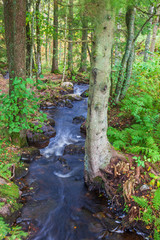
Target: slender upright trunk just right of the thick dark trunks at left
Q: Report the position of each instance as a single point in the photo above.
(38, 52)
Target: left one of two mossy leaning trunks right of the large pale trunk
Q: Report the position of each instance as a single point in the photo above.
(130, 18)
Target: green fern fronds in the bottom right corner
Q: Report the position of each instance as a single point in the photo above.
(150, 211)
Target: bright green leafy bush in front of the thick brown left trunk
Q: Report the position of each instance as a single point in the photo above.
(18, 109)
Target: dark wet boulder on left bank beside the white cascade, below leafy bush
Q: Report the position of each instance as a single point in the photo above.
(41, 140)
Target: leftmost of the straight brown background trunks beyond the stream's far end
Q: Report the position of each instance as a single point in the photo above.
(55, 39)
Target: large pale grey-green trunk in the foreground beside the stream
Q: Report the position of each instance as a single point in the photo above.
(97, 148)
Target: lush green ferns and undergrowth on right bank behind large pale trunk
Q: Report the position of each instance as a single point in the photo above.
(142, 103)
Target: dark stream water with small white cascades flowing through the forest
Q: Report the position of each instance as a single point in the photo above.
(60, 205)
